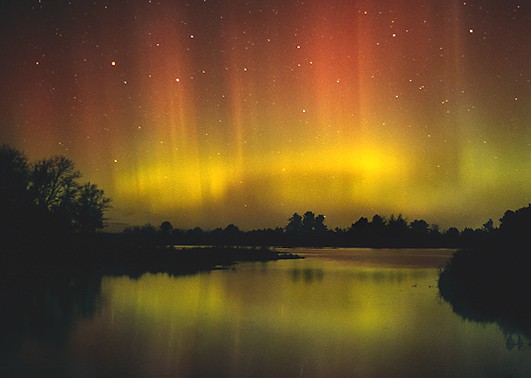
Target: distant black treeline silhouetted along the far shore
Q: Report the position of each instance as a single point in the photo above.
(310, 229)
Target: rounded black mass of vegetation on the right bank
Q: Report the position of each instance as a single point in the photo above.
(491, 282)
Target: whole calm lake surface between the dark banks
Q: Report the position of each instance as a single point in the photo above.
(337, 313)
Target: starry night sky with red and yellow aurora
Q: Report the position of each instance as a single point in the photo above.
(210, 112)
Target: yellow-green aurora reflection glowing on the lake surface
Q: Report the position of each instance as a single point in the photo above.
(295, 320)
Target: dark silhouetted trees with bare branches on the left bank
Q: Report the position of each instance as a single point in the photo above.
(46, 199)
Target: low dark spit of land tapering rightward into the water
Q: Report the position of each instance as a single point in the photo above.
(120, 256)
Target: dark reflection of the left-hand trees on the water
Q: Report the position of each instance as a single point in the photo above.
(39, 313)
